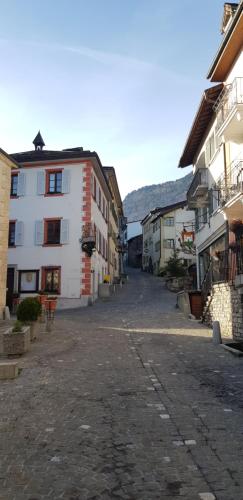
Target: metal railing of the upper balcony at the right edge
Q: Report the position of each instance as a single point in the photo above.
(230, 96)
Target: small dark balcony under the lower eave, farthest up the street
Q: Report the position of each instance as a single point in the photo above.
(197, 194)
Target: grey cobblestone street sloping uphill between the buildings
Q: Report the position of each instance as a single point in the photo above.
(124, 400)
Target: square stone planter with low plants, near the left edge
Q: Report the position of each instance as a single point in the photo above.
(16, 340)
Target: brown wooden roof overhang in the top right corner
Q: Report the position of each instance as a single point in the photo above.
(229, 48)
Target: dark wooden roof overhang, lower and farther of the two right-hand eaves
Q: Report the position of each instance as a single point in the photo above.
(200, 124)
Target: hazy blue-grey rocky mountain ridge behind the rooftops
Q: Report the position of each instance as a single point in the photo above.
(138, 203)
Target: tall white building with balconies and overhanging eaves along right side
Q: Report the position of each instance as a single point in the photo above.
(215, 149)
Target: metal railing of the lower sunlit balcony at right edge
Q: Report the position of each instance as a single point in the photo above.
(231, 184)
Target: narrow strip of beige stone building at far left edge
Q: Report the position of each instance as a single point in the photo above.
(5, 176)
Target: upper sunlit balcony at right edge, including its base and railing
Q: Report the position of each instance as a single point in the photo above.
(229, 110)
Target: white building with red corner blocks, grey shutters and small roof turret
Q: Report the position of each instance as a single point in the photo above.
(58, 224)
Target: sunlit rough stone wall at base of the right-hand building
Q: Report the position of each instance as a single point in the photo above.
(225, 305)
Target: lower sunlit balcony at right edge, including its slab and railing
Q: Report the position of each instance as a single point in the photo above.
(230, 188)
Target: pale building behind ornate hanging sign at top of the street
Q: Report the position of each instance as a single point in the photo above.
(165, 231)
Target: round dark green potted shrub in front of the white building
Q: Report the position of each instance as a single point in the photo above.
(28, 312)
